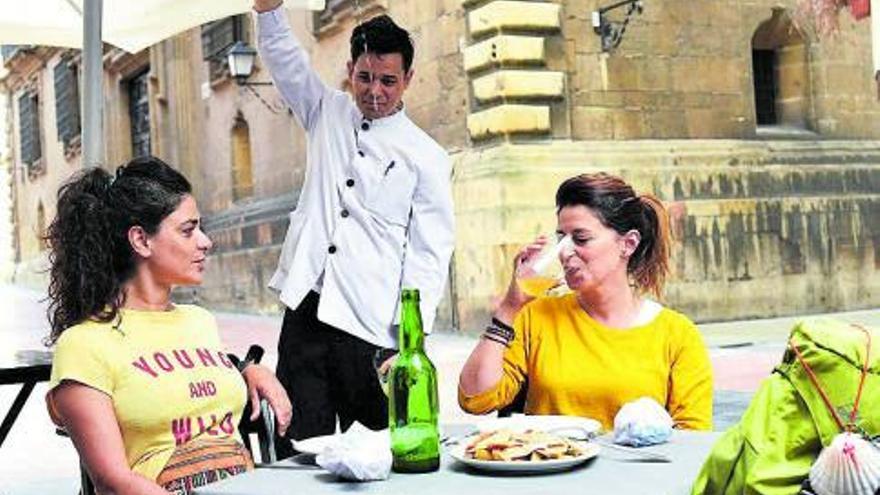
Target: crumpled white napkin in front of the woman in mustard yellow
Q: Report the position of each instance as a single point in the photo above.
(642, 422)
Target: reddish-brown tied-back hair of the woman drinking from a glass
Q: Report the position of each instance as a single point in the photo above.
(619, 207)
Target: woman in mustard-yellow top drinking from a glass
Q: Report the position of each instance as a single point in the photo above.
(603, 344)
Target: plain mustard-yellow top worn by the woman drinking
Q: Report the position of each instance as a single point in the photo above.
(577, 366)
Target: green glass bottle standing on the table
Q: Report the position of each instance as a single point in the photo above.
(413, 407)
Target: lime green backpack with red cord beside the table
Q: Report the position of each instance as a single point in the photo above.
(771, 449)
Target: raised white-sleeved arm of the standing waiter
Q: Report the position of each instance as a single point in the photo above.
(288, 62)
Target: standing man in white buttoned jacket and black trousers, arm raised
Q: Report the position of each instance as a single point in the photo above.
(374, 215)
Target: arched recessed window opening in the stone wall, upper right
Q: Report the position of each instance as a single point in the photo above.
(780, 73)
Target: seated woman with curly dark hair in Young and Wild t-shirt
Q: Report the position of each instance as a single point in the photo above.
(142, 385)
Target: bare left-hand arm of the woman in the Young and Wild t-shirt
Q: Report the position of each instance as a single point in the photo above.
(87, 415)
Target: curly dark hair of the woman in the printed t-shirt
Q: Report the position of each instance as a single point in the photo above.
(89, 252)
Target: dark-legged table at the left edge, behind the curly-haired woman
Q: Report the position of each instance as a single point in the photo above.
(27, 368)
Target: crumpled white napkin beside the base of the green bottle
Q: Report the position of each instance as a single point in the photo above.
(359, 454)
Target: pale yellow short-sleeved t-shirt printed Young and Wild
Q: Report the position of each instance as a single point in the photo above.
(166, 373)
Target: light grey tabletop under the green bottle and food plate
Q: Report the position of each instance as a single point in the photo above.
(609, 472)
